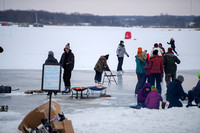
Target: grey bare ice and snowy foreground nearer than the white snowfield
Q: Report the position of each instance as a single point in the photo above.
(90, 114)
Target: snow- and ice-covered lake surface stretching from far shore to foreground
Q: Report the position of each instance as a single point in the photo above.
(26, 49)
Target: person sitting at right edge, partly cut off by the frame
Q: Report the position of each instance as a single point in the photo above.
(194, 94)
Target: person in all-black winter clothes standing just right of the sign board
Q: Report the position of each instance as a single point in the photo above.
(67, 63)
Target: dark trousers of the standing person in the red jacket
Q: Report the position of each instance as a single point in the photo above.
(158, 79)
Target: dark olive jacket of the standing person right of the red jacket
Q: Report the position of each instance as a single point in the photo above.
(169, 62)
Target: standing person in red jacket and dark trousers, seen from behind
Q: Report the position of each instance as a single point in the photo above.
(156, 70)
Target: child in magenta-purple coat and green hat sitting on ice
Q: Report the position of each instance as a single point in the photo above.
(153, 99)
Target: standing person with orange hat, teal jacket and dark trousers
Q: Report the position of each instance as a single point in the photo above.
(140, 60)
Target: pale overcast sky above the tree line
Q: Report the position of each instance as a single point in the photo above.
(108, 7)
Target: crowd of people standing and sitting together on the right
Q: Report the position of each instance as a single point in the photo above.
(150, 69)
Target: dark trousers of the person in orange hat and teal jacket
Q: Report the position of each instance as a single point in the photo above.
(140, 83)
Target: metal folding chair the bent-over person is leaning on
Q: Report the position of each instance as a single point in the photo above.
(110, 77)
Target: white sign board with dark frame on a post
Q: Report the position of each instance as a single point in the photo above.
(51, 77)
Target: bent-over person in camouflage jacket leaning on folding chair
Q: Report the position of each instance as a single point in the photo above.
(100, 66)
